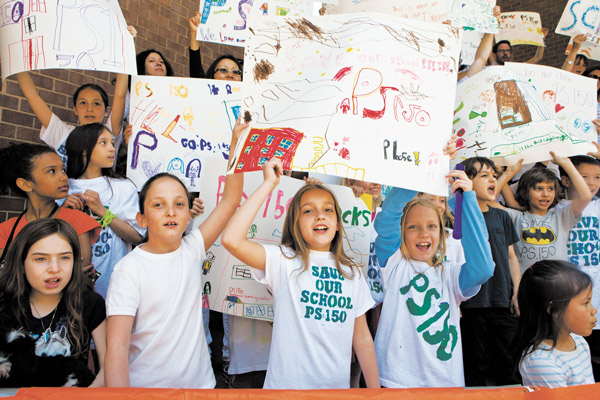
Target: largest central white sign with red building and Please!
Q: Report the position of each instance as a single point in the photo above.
(363, 96)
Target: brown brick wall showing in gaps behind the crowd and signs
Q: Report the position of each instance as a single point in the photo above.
(162, 25)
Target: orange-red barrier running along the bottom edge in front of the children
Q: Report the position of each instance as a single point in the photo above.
(585, 392)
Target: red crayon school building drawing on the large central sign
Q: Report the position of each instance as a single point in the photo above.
(263, 144)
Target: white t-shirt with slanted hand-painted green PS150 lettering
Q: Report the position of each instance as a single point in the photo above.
(418, 340)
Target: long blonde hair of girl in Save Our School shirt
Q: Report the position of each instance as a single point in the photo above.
(292, 237)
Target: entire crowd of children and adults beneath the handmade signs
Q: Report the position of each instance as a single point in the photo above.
(92, 267)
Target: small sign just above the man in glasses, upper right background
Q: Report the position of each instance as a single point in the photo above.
(521, 28)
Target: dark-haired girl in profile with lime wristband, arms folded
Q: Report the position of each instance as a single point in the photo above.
(114, 202)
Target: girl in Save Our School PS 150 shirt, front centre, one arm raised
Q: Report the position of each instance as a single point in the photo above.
(323, 324)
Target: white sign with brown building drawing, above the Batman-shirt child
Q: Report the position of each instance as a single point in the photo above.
(506, 116)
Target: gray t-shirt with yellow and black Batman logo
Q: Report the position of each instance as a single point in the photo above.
(542, 237)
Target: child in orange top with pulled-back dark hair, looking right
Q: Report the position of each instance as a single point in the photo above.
(36, 172)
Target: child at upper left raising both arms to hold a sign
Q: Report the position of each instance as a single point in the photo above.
(90, 104)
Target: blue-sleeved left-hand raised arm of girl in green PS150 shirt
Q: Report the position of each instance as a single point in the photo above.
(387, 223)
